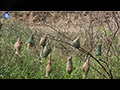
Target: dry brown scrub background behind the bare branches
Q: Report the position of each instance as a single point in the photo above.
(90, 26)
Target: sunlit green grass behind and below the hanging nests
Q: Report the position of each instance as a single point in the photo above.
(27, 65)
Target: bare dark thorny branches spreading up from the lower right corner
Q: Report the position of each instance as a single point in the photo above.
(87, 52)
